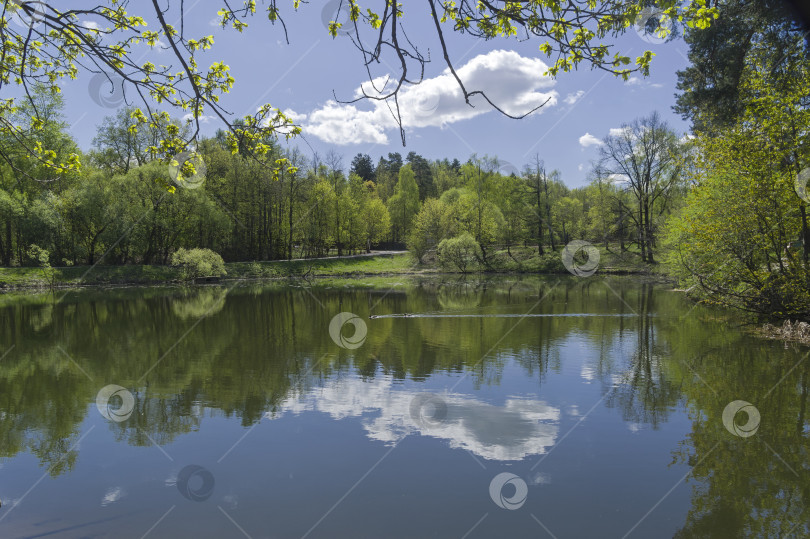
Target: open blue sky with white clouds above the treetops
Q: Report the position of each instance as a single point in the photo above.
(301, 77)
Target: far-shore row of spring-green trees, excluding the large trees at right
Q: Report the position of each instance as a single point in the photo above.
(117, 208)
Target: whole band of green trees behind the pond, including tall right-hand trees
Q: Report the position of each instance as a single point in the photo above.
(725, 207)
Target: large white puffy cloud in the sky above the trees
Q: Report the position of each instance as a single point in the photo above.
(512, 82)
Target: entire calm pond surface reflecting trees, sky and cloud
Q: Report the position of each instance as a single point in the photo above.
(512, 407)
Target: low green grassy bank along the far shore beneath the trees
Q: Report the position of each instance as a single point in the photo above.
(521, 260)
